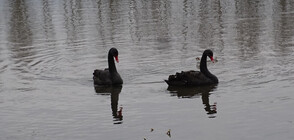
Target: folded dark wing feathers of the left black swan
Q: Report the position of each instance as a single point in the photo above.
(102, 77)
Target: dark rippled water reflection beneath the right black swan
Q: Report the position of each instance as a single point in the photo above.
(204, 92)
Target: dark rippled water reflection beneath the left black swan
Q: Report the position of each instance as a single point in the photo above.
(114, 92)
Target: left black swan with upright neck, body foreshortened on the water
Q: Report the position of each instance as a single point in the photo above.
(108, 76)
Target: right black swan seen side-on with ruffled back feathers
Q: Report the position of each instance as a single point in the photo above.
(195, 78)
